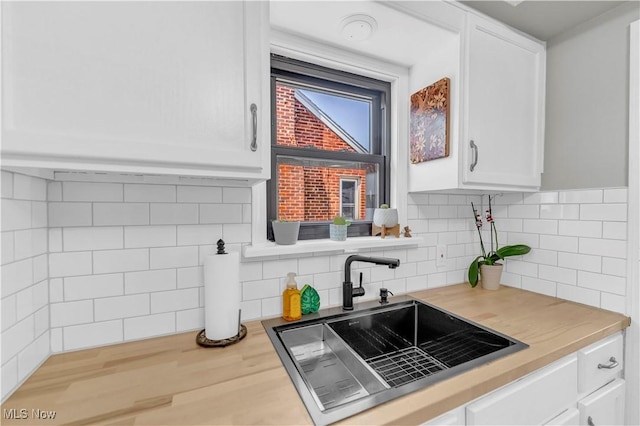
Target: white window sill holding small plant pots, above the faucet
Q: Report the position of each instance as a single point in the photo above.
(305, 247)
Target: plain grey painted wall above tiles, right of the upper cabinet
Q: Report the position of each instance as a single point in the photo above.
(586, 133)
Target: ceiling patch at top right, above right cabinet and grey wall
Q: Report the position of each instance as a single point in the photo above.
(543, 19)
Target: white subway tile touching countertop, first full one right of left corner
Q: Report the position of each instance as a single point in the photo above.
(94, 334)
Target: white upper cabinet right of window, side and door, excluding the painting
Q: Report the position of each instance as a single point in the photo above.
(496, 128)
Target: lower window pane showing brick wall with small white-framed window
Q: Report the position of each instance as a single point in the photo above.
(314, 190)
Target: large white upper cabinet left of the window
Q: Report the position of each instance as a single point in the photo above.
(137, 87)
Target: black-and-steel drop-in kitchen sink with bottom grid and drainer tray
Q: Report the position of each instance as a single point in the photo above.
(344, 363)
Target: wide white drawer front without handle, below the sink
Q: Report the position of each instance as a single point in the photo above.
(535, 399)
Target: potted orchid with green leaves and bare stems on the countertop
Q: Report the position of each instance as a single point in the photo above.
(481, 264)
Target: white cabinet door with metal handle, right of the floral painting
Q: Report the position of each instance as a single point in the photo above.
(504, 106)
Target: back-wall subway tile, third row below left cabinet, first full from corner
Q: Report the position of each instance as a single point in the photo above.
(92, 238)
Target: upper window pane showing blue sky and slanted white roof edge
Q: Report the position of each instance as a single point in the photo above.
(310, 118)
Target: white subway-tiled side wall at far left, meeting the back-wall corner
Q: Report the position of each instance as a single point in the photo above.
(24, 286)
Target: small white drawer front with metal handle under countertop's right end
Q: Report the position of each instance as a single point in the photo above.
(590, 377)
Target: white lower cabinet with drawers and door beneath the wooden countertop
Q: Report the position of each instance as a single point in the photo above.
(584, 388)
